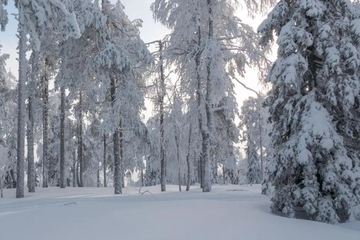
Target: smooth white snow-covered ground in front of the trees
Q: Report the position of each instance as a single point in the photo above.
(228, 212)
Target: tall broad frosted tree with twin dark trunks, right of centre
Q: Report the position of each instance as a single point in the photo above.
(201, 45)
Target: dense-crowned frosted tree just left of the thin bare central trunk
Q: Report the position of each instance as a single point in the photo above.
(121, 62)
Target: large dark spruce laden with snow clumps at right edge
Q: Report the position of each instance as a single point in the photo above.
(314, 105)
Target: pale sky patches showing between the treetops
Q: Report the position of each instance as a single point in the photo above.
(151, 30)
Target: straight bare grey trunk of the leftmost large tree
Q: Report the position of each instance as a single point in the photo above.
(20, 161)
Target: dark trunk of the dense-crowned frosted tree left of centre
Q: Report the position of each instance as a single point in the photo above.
(116, 141)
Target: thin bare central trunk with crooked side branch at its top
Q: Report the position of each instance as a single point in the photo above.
(161, 109)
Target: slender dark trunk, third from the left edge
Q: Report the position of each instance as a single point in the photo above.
(46, 160)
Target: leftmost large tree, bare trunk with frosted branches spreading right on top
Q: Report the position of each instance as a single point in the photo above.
(35, 24)
